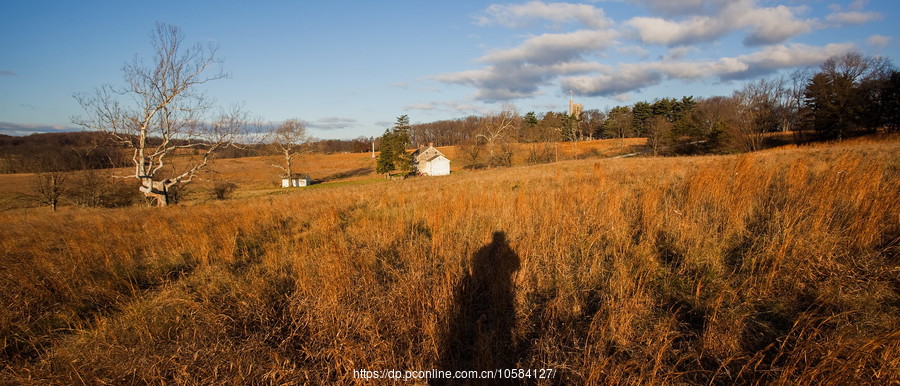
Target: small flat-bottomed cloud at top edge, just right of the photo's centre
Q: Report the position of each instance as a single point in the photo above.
(524, 15)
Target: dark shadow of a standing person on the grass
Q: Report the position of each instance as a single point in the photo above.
(480, 330)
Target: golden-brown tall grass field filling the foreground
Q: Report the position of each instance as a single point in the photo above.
(779, 266)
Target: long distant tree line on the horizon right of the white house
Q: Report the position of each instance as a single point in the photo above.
(847, 95)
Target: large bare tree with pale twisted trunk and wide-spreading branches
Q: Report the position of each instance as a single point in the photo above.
(159, 112)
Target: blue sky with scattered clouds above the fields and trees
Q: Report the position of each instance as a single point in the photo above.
(349, 68)
